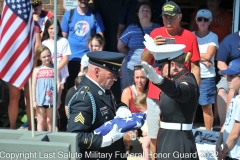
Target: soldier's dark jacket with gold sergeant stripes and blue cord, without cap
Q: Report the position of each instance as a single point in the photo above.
(81, 121)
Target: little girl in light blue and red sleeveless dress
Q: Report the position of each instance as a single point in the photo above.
(42, 87)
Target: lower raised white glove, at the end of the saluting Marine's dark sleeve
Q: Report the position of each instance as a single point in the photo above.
(151, 74)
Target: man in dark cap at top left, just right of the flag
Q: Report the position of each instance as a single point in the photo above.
(40, 15)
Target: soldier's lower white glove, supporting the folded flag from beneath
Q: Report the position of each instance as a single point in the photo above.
(112, 136)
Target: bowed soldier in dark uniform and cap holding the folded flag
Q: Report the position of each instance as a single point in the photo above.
(94, 104)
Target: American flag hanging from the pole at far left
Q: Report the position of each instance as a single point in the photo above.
(17, 40)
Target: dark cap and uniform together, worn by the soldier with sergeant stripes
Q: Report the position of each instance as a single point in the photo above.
(82, 120)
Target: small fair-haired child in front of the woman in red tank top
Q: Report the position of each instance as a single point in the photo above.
(141, 105)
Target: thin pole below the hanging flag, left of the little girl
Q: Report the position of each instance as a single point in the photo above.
(31, 107)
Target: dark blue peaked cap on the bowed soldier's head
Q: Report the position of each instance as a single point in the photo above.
(111, 61)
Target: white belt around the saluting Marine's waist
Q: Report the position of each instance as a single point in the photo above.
(175, 126)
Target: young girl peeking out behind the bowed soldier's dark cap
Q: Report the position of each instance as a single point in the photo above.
(95, 43)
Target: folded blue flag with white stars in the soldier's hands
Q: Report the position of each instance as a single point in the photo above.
(124, 125)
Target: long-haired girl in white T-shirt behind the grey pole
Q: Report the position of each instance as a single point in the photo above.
(63, 52)
